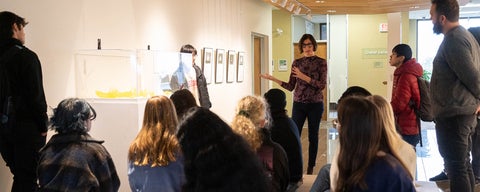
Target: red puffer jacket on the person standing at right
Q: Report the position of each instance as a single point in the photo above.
(405, 89)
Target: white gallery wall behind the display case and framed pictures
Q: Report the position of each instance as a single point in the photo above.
(57, 29)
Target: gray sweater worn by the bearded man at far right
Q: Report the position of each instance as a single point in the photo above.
(455, 83)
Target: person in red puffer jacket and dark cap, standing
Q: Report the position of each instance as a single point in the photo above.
(405, 90)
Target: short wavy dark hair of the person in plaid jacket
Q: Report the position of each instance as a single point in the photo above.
(71, 115)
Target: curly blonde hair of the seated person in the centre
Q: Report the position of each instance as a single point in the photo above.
(251, 115)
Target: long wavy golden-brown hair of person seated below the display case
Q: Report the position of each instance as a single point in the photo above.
(156, 144)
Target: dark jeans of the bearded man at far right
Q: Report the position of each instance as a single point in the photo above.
(454, 143)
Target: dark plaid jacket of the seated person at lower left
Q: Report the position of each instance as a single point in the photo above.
(76, 162)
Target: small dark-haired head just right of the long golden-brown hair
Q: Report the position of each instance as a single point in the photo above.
(183, 100)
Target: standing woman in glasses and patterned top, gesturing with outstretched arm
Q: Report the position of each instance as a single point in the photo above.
(308, 78)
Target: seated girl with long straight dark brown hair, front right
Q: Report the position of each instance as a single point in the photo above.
(367, 159)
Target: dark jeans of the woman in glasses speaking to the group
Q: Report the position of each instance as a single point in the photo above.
(312, 112)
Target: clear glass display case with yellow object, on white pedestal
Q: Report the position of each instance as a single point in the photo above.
(132, 73)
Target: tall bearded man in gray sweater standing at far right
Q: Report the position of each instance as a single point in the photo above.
(455, 93)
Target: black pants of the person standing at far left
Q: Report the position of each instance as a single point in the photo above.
(19, 148)
